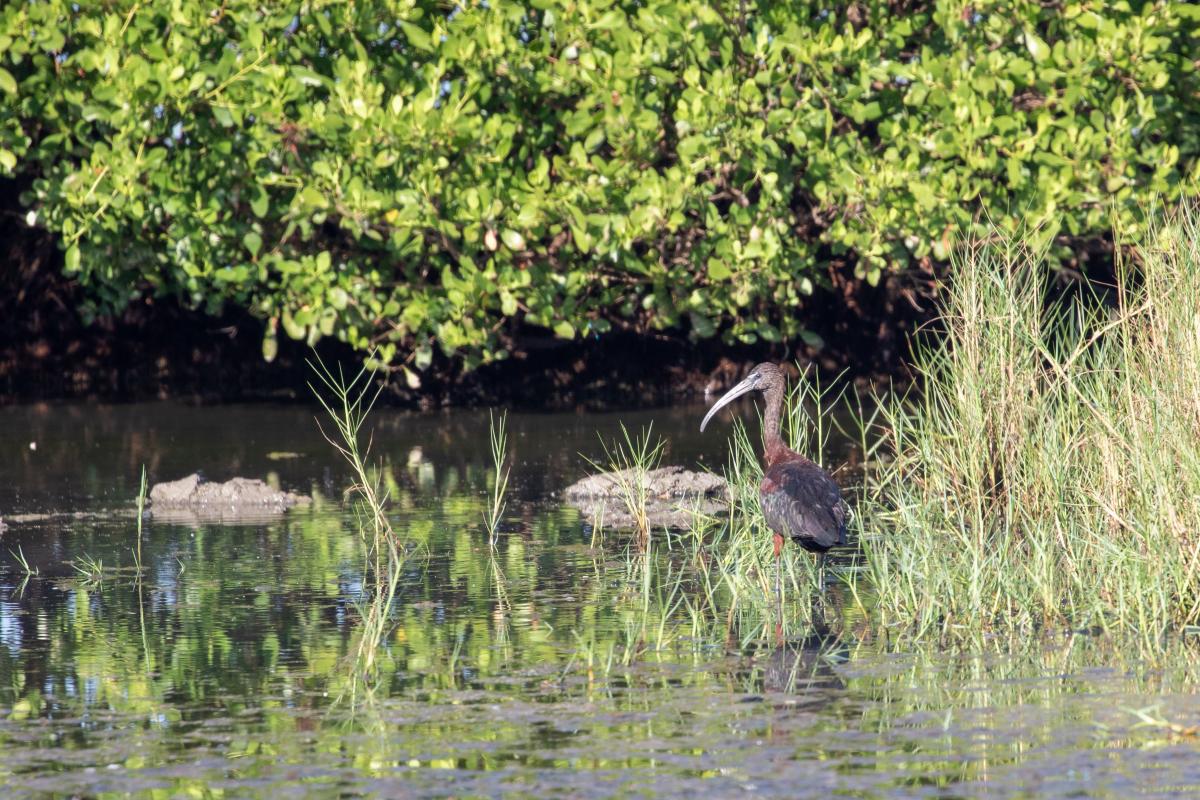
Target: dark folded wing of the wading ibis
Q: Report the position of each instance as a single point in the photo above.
(801, 502)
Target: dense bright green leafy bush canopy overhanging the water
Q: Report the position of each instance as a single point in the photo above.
(418, 176)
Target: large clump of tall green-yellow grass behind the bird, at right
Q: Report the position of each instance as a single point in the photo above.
(1047, 472)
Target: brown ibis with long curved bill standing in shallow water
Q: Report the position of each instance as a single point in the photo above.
(800, 500)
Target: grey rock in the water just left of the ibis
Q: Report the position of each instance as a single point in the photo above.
(674, 497)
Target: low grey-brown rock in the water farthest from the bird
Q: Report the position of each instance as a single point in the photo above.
(193, 497)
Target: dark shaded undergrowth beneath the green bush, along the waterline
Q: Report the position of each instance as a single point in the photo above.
(157, 348)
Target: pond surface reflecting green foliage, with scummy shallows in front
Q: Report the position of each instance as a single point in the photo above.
(231, 670)
